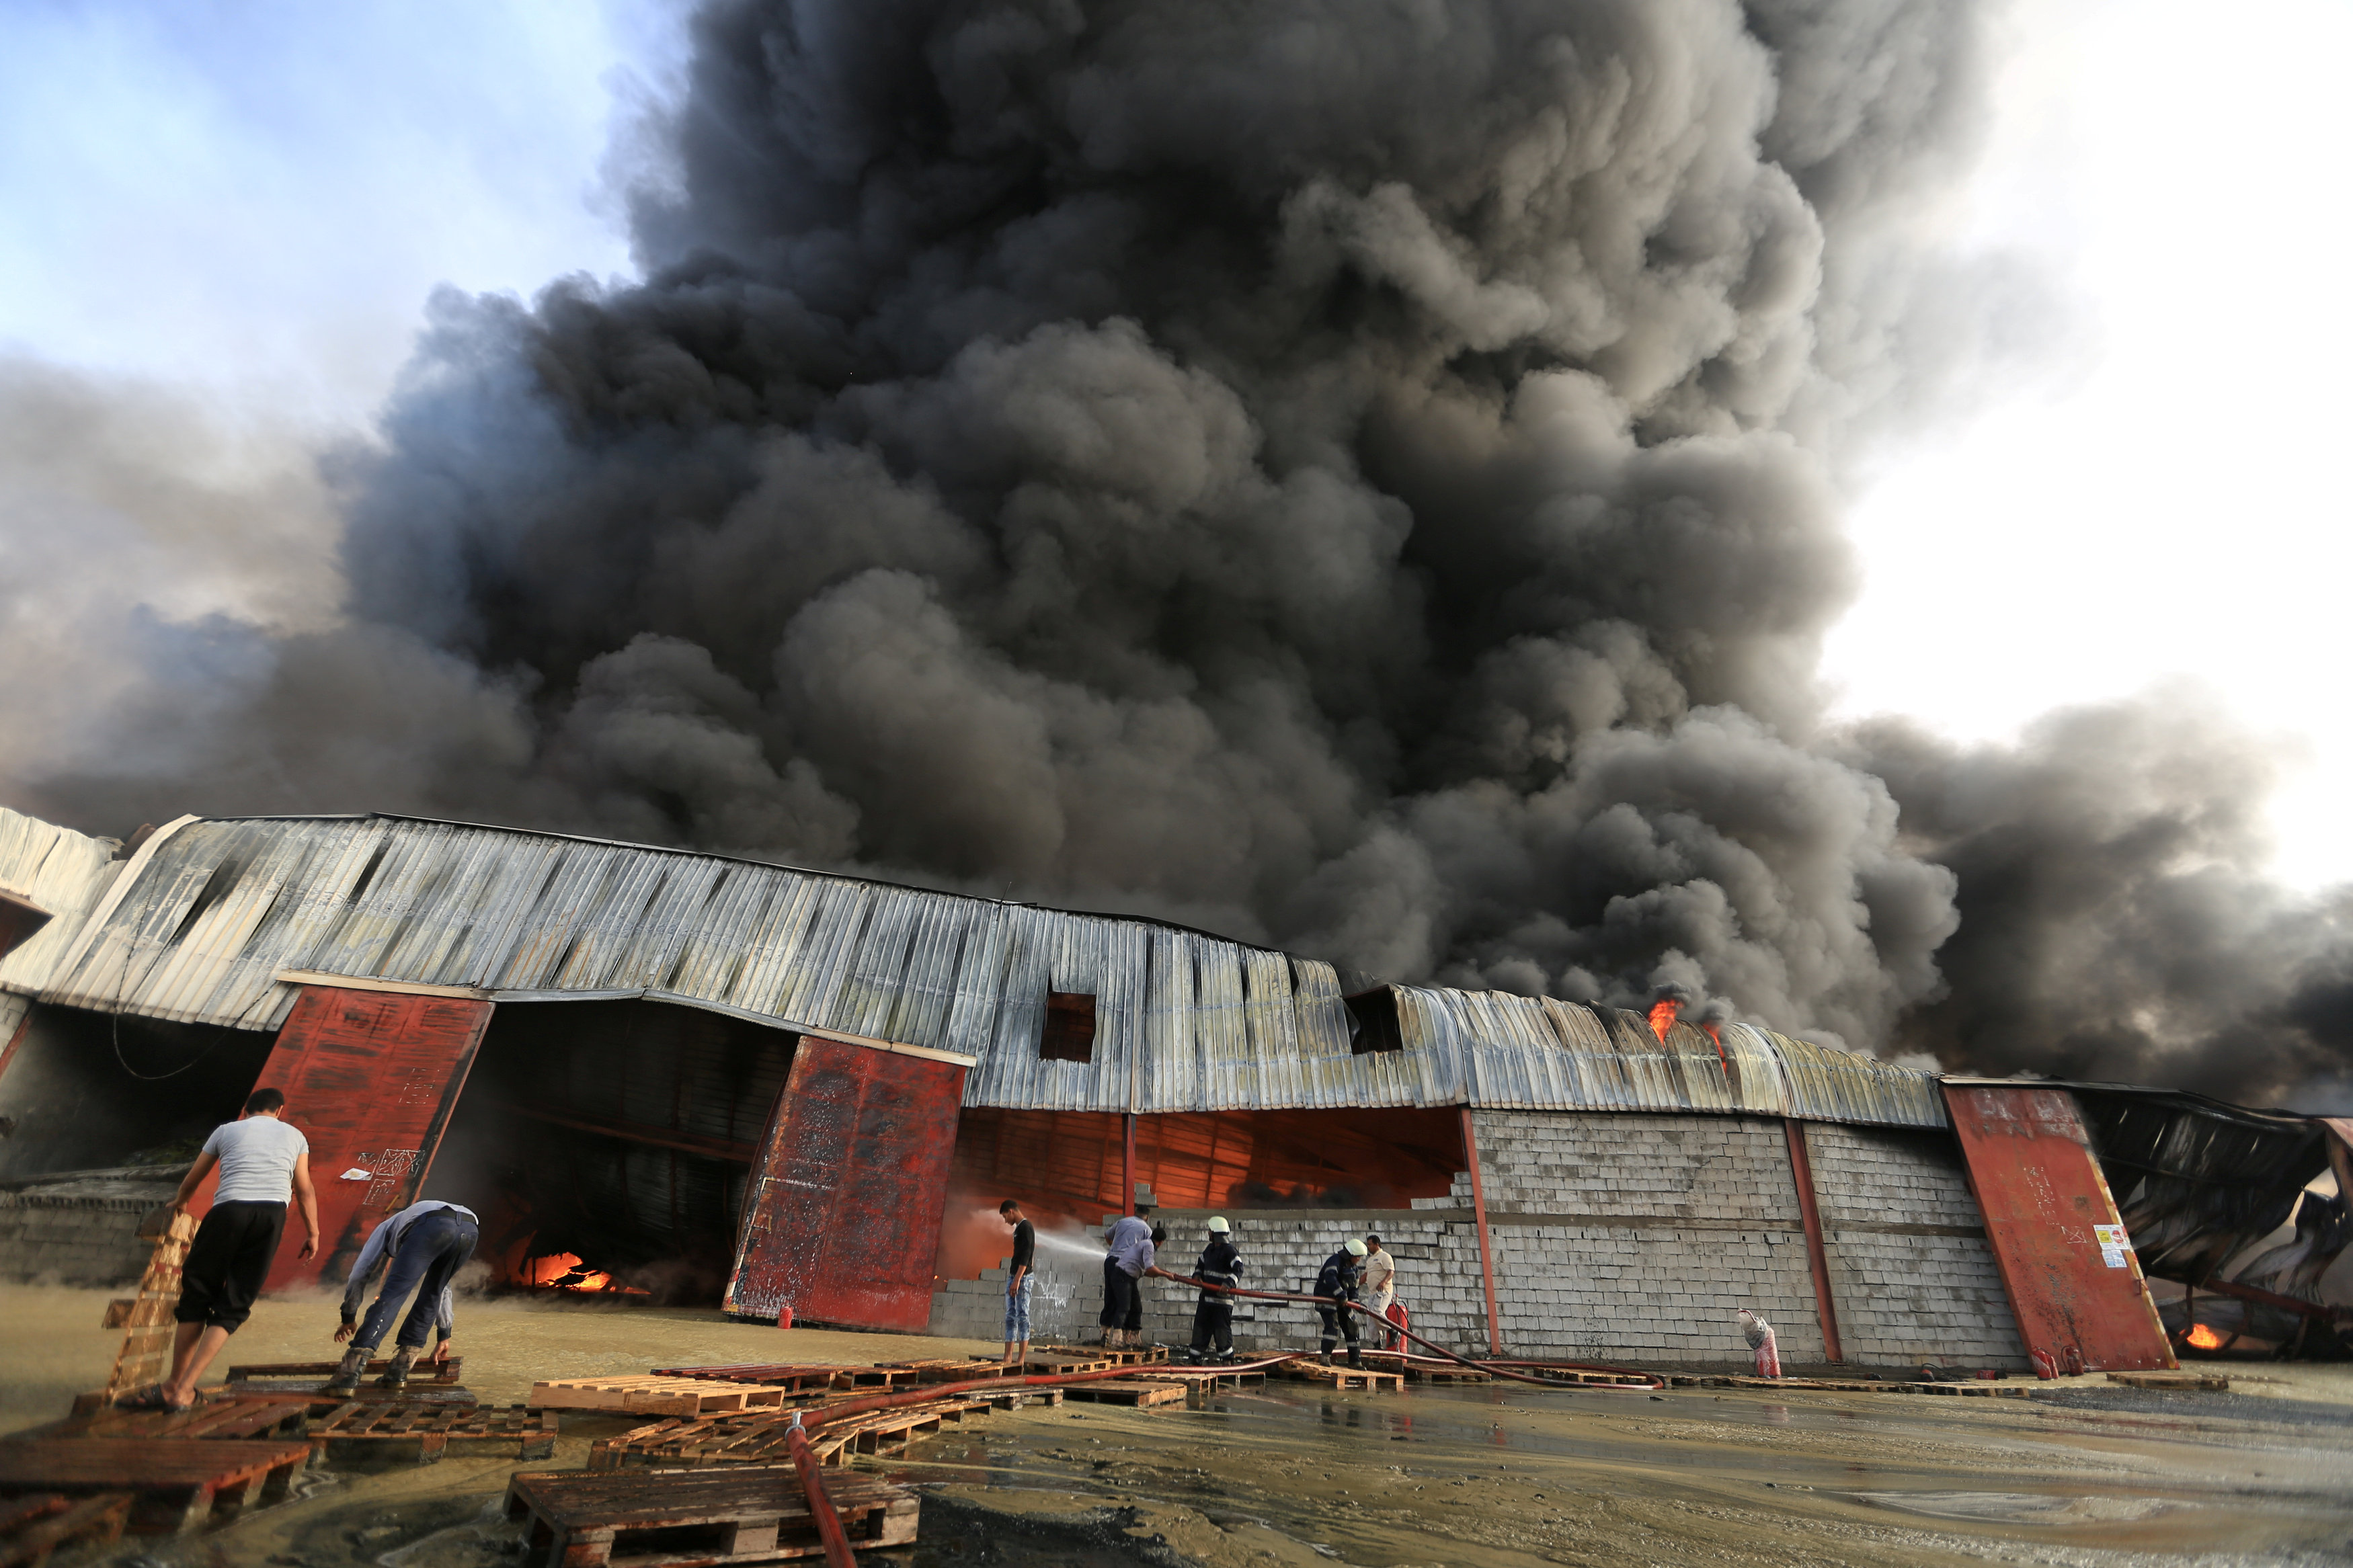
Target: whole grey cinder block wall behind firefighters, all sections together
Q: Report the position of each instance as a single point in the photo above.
(1618, 1238)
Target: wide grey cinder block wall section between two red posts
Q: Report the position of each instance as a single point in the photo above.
(1639, 1238)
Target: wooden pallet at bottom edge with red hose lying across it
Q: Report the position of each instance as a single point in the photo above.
(702, 1517)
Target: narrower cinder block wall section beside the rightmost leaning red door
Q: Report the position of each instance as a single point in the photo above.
(1912, 1271)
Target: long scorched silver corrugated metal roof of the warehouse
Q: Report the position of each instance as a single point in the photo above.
(213, 911)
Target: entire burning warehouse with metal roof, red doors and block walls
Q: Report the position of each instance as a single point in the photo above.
(775, 1090)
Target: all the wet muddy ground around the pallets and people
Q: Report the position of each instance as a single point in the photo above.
(1288, 1475)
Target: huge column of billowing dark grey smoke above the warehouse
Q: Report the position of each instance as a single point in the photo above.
(1347, 474)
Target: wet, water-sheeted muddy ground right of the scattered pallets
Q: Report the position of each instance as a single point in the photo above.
(1291, 1475)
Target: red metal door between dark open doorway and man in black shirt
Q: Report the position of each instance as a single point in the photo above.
(846, 1198)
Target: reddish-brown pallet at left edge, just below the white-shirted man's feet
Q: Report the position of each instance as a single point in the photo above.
(175, 1485)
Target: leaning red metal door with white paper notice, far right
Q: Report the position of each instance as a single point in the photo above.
(2069, 1268)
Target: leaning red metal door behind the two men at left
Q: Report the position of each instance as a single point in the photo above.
(371, 1080)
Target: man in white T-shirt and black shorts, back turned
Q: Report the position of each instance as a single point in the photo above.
(265, 1165)
